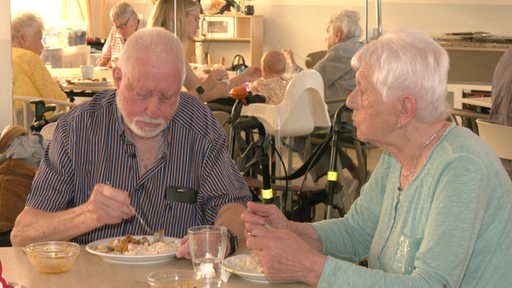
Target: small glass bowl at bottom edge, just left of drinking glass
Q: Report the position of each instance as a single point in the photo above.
(174, 278)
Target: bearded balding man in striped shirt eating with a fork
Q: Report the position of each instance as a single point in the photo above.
(144, 147)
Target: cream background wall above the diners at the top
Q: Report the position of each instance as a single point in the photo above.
(300, 24)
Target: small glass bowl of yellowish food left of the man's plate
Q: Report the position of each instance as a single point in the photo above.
(52, 256)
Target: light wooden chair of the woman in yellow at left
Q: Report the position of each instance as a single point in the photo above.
(25, 116)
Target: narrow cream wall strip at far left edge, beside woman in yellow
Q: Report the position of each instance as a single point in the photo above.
(5, 65)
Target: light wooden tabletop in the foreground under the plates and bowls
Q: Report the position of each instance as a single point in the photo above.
(92, 271)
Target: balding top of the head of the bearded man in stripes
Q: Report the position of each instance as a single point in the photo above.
(149, 44)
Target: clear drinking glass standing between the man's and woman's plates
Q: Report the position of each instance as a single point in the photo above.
(207, 246)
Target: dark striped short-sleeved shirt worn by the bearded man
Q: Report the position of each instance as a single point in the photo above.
(90, 147)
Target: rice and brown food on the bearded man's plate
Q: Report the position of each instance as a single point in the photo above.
(130, 245)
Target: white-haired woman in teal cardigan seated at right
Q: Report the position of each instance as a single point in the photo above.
(436, 211)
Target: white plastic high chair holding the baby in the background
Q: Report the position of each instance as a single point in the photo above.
(303, 108)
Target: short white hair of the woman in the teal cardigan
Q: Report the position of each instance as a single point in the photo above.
(407, 61)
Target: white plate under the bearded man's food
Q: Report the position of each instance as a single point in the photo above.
(131, 259)
